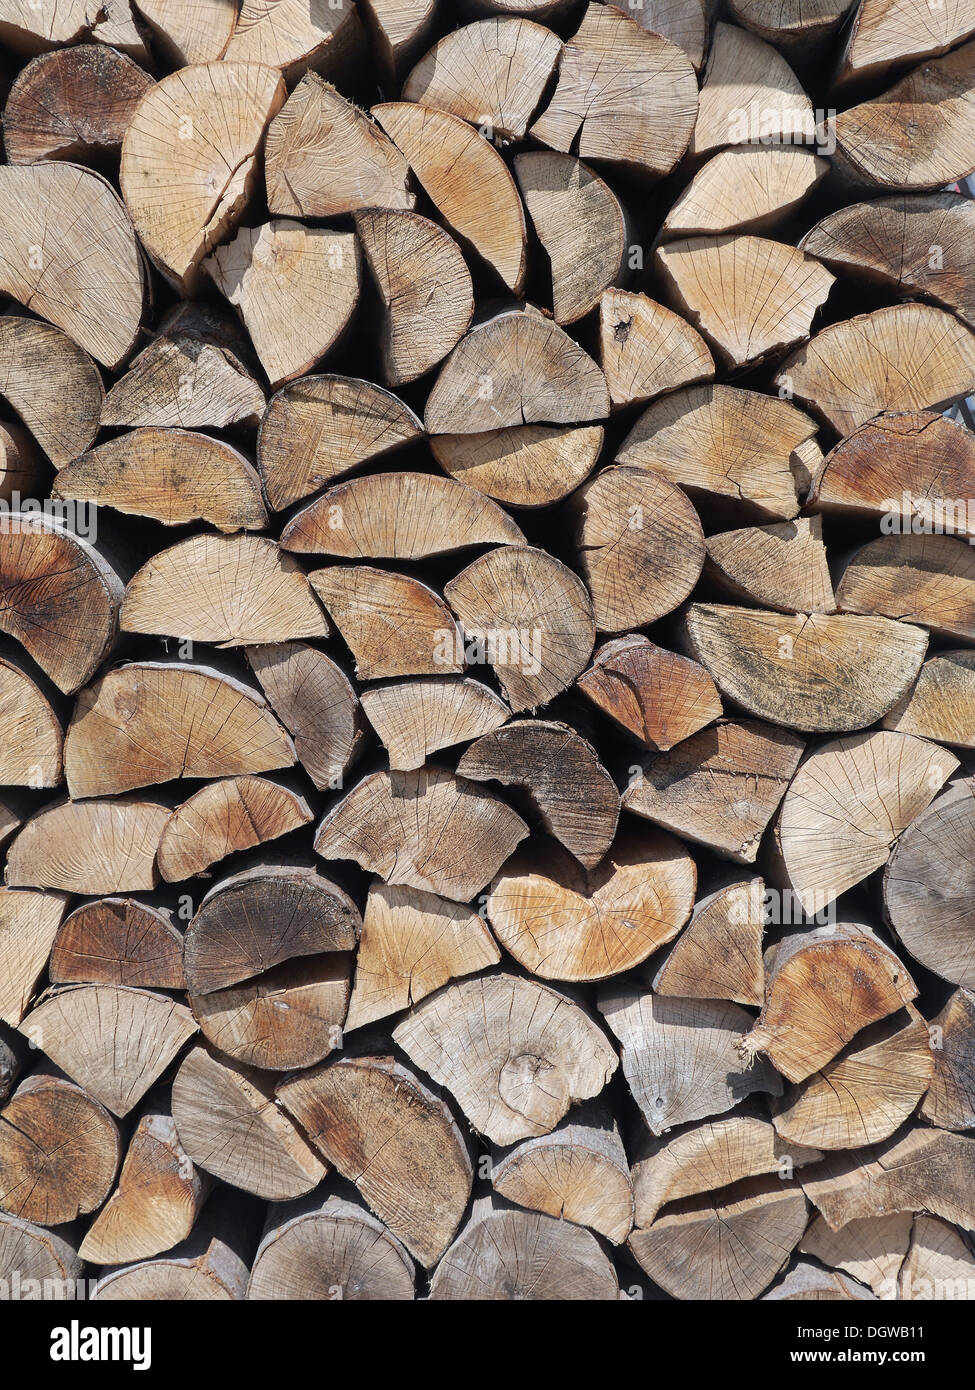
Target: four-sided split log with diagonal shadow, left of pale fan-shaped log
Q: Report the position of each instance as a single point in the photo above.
(718, 789)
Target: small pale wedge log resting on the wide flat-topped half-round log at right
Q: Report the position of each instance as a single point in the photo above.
(781, 566)
